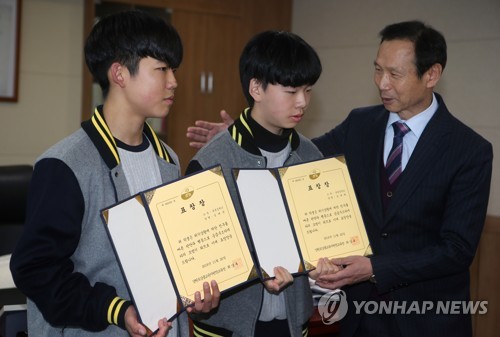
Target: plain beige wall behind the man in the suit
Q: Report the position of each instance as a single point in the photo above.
(345, 34)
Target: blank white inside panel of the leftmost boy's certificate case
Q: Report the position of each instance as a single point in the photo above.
(142, 264)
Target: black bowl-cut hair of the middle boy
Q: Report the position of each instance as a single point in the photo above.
(278, 57)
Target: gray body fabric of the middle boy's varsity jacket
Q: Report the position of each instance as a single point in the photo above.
(239, 311)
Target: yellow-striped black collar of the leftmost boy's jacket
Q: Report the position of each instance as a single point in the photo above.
(98, 131)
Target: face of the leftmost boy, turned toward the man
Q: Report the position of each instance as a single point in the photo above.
(150, 91)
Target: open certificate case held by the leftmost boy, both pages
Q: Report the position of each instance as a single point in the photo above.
(171, 239)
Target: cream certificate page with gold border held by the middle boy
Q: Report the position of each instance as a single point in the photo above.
(324, 209)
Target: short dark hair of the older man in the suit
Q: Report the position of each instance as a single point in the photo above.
(429, 44)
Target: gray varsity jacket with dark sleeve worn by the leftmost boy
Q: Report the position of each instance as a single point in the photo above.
(92, 171)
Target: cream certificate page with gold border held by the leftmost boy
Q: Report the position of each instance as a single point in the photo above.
(200, 234)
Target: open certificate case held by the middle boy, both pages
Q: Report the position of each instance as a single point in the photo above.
(301, 213)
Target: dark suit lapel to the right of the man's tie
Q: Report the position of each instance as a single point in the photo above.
(429, 147)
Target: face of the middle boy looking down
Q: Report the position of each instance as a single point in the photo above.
(279, 107)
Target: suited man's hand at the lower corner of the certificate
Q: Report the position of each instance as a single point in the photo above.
(355, 269)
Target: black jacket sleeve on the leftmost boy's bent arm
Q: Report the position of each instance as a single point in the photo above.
(41, 264)
